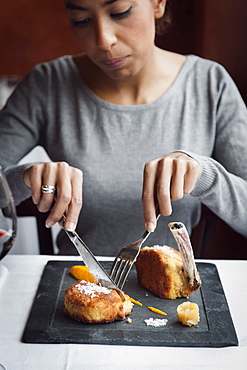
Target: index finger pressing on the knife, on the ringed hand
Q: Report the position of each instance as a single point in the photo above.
(75, 205)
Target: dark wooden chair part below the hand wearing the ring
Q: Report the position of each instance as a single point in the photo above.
(26, 209)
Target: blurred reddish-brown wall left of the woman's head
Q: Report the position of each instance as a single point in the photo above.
(32, 31)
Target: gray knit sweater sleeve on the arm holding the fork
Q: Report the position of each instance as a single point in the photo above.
(222, 185)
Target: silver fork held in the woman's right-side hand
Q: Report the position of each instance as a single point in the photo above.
(125, 259)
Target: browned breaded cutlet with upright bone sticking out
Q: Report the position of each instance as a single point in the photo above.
(166, 272)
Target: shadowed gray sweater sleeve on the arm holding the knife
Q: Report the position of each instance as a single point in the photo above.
(21, 123)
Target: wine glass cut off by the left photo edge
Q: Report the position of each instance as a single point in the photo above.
(8, 218)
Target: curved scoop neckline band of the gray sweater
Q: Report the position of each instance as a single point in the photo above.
(90, 93)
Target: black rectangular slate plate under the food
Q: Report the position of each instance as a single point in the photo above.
(49, 324)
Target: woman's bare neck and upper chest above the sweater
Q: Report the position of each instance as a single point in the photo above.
(148, 85)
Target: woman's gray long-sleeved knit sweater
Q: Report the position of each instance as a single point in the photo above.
(201, 114)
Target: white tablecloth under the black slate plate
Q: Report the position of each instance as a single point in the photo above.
(16, 297)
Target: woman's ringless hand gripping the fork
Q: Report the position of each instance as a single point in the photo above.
(167, 178)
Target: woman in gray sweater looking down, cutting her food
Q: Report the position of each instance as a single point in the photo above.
(121, 104)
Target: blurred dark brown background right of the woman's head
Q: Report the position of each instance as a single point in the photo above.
(213, 29)
